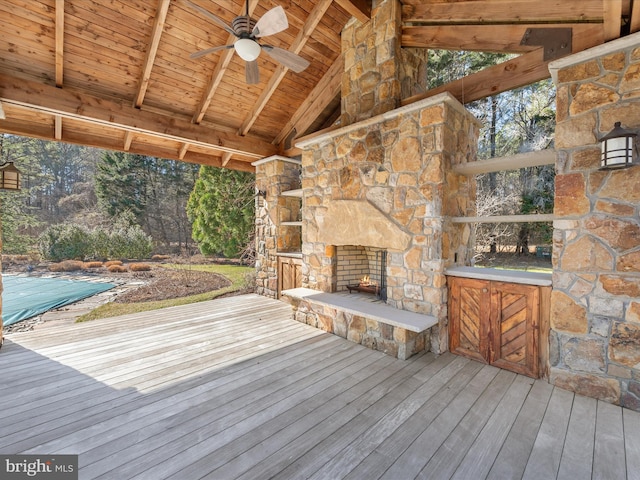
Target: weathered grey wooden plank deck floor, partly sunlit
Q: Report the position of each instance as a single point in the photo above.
(236, 389)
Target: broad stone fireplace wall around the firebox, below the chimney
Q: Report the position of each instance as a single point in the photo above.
(387, 183)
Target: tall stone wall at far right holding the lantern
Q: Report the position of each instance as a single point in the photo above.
(595, 304)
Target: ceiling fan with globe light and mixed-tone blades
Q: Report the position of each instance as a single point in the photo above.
(248, 31)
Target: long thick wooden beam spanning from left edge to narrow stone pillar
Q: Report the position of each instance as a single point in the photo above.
(71, 103)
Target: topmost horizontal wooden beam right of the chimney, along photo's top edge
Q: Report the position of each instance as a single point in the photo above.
(512, 11)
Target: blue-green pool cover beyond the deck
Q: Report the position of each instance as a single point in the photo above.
(25, 297)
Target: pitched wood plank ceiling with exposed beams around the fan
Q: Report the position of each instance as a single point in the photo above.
(117, 74)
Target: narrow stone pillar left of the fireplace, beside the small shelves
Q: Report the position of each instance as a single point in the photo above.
(275, 175)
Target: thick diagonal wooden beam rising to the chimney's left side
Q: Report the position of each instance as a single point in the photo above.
(322, 94)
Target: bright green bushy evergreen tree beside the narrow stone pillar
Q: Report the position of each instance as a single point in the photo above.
(221, 208)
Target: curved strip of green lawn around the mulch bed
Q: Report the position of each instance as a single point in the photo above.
(236, 274)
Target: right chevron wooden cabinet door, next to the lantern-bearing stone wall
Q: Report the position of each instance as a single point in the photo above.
(514, 327)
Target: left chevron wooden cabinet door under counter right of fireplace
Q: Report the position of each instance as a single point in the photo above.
(469, 301)
